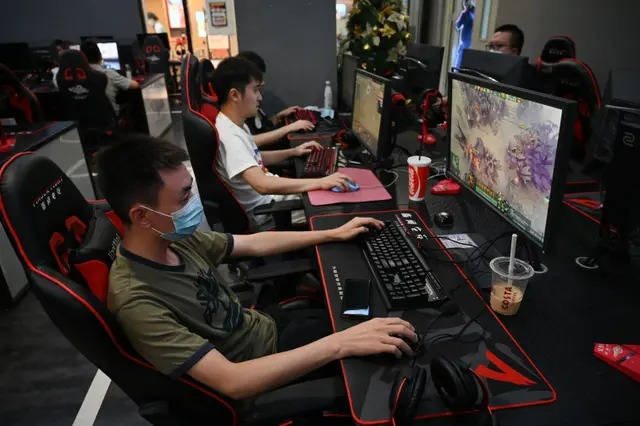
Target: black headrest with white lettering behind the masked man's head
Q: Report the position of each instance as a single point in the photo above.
(36, 201)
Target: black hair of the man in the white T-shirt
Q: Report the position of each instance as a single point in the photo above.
(234, 73)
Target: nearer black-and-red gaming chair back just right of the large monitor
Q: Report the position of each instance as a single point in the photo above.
(573, 79)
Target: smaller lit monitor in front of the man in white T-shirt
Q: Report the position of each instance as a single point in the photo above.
(372, 113)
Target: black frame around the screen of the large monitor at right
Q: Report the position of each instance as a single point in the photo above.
(561, 165)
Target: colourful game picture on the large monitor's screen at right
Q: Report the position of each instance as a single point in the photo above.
(504, 149)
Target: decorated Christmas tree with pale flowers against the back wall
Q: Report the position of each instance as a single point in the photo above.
(378, 33)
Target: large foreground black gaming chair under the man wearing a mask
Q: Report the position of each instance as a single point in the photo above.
(37, 201)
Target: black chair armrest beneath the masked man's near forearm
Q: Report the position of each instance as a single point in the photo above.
(298, 399)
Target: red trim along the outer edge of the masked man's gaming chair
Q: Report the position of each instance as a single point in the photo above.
(87, 305)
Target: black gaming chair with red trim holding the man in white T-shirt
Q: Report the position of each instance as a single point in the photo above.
(201, 137)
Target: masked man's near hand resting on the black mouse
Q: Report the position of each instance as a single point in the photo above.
(376, 336)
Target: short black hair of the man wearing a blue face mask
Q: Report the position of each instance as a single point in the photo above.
(128, 171)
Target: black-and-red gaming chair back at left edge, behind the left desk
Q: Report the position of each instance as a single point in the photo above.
(17, 99)
